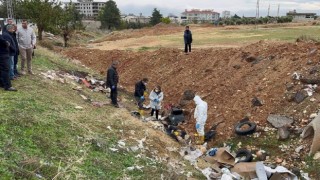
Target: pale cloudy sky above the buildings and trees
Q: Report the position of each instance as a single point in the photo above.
(239, 7)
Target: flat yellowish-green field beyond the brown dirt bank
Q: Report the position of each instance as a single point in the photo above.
(206, 37)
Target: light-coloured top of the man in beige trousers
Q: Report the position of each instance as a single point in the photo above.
(26, 38)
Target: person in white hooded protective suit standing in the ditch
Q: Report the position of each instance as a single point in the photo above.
(200, 114)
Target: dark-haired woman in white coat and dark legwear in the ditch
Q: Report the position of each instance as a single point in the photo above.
(156, 97)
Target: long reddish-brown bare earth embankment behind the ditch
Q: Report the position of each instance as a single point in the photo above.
(255, 81)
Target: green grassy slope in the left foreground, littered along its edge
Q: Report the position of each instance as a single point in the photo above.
(43, 135)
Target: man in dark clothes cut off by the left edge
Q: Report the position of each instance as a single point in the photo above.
(4, 65)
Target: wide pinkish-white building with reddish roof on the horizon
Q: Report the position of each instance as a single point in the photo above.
(199, 16)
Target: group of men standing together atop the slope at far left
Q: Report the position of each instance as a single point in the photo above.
(14, 42)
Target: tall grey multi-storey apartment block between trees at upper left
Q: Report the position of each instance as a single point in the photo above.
(89, 8)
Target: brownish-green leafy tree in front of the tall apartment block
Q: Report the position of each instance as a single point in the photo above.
(69, 21)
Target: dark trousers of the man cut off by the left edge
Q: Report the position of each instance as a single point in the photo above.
(4, 72)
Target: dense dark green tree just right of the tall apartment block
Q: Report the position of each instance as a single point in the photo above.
(110, 16)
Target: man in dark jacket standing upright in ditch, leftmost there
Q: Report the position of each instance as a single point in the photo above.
(112, 82)
